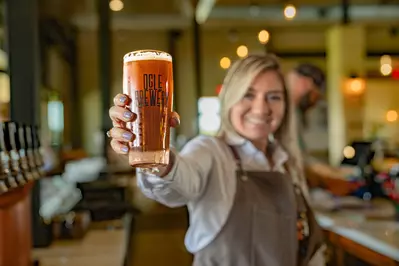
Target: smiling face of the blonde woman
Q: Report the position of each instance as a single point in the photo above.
(262, 109)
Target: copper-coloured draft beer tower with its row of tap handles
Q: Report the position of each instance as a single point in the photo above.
(21, 164)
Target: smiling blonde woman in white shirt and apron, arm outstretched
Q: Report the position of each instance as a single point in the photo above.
(242, 188)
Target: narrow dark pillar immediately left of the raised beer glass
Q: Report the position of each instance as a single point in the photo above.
(104, 55)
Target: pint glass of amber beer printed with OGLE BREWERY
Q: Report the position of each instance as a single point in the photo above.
(148, 80)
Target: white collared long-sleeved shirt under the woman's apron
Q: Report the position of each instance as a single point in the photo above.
(204, 178)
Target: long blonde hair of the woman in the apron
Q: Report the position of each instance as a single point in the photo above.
(236, 83)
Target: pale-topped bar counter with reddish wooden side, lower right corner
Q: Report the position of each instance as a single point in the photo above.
(373, 241)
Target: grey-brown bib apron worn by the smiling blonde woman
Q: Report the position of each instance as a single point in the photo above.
(261, 229)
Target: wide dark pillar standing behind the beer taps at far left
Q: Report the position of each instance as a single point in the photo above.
(22, 45)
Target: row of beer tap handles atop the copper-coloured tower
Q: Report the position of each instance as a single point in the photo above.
(20, 157)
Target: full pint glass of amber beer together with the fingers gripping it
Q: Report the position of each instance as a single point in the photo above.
(142, 115)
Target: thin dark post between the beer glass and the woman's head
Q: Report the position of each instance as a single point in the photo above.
(197, 66)
